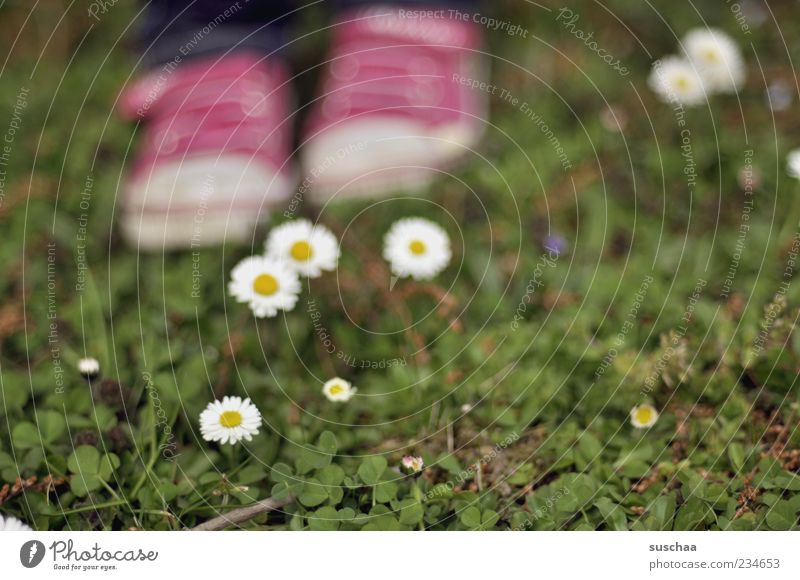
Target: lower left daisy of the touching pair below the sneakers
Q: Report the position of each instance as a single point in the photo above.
(267, 285)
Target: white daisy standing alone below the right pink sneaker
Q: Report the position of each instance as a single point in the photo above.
(416, 247)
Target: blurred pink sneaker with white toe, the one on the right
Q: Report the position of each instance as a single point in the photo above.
(394, 107)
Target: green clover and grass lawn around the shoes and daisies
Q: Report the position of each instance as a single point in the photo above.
(512, 374)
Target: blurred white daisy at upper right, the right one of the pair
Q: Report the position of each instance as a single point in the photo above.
(716, 57)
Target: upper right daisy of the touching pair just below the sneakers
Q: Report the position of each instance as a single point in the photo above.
(307, 248)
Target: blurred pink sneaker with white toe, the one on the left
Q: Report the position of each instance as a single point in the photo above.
(214, 153)
